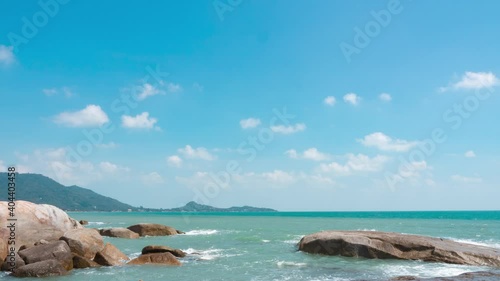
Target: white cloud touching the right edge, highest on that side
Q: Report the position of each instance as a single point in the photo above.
(473, 81)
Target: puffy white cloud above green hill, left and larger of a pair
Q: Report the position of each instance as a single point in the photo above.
(90, 116)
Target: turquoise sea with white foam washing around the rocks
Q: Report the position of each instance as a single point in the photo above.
(263, 246)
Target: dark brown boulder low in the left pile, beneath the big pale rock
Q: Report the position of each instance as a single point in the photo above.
(58, 250)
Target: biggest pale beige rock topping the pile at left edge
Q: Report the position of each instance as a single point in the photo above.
(36, 222)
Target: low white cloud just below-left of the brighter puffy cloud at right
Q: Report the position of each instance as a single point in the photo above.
(360, 162)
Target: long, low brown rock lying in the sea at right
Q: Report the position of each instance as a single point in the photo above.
(384, 245)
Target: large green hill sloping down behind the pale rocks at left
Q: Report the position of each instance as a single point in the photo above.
(43, 190)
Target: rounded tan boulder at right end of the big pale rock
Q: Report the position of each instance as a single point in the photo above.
(85, 242)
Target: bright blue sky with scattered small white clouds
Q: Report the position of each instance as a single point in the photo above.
(331, 105)
